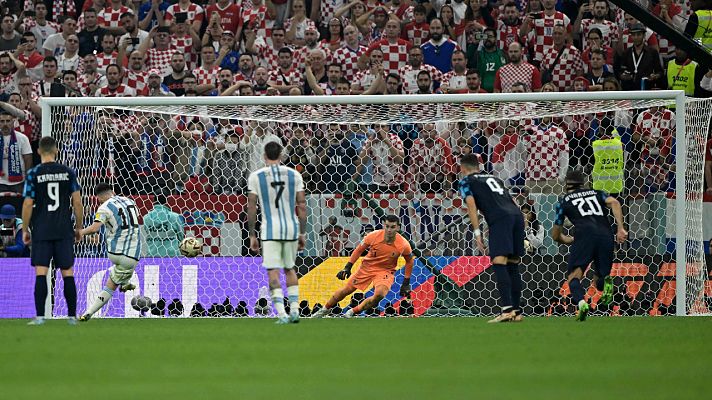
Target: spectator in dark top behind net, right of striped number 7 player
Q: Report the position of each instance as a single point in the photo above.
(336, 161)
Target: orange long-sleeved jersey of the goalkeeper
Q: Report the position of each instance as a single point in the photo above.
(382, 255)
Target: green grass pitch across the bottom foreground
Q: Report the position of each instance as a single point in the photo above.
(416, 358)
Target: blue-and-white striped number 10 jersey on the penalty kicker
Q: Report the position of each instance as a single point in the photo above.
(123, 233)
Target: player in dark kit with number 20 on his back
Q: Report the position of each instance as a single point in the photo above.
(592, 240)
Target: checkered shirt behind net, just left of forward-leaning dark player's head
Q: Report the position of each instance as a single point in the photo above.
(431, 163)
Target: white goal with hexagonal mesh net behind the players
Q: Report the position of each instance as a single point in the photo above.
(363, 157)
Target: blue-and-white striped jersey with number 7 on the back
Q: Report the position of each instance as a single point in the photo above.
(276, 187)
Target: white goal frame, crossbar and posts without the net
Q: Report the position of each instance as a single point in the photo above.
(676, 96)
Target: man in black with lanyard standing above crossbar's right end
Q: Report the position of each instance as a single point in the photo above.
(639, 68)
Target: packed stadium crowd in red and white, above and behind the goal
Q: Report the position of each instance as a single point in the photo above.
(331, 47)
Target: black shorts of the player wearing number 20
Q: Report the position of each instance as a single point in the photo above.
(593, 248)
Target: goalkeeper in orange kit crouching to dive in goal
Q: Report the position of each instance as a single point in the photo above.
(384, 247)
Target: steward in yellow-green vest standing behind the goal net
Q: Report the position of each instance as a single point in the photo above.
(608, 162)
